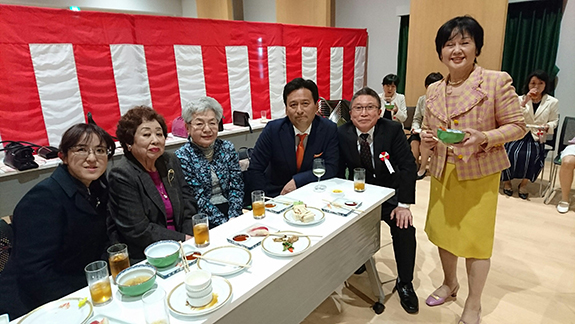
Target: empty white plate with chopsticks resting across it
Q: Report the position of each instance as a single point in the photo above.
(228, 253)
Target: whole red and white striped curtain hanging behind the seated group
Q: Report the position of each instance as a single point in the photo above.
(58, 65)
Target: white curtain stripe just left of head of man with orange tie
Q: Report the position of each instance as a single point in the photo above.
(277, 79)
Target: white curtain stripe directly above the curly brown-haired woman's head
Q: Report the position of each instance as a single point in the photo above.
(131, 75)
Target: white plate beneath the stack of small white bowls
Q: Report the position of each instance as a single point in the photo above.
(178, 304)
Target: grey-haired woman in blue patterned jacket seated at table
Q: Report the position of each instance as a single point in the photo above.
(211, 165)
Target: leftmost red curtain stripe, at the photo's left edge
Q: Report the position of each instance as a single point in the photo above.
(21, 116)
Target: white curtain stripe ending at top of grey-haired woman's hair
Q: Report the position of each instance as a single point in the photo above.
(190, 69)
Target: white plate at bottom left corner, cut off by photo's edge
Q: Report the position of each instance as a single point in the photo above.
(53, 313)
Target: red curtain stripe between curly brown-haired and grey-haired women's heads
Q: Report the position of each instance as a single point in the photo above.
(163, 80)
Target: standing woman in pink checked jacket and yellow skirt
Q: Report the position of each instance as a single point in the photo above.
(465, 177)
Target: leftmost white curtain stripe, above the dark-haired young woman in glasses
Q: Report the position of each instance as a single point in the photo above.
(57, 82)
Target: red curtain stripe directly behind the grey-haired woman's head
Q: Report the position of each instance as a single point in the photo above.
(216, 76)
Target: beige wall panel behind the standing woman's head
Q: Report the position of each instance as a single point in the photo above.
(426, 16)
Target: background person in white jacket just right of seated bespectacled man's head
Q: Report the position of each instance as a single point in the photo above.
(394, 103)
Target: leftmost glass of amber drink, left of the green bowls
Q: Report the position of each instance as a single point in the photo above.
(99, 282)
